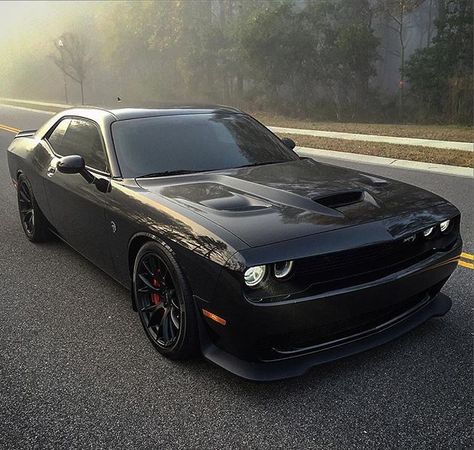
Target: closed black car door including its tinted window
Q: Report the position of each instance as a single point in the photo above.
(77, 207)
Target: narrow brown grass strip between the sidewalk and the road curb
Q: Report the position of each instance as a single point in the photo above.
(395, 151)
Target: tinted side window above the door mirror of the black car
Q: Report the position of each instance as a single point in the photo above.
(83, 138)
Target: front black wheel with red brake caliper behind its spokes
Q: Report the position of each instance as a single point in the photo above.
(164, 302)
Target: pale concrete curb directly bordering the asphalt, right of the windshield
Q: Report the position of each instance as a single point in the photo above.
(388, 162)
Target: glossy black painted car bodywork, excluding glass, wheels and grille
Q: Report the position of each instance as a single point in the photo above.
(220, 223)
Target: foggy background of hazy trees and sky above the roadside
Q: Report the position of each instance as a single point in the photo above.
(344, 60)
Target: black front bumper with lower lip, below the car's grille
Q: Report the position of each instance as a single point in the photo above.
(265, 342)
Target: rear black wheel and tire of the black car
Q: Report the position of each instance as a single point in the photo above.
(33, 222)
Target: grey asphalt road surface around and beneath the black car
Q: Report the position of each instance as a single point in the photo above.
(77, 371)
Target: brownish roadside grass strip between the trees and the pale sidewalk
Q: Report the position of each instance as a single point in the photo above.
(438, 132)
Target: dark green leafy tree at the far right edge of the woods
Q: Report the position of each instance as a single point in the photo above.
(440, 76)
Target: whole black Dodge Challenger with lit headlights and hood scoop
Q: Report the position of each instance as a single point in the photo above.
(232, 244)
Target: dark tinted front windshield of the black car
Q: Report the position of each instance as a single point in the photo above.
(170, 145)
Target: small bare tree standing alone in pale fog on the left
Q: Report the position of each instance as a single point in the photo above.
(72, 58)
